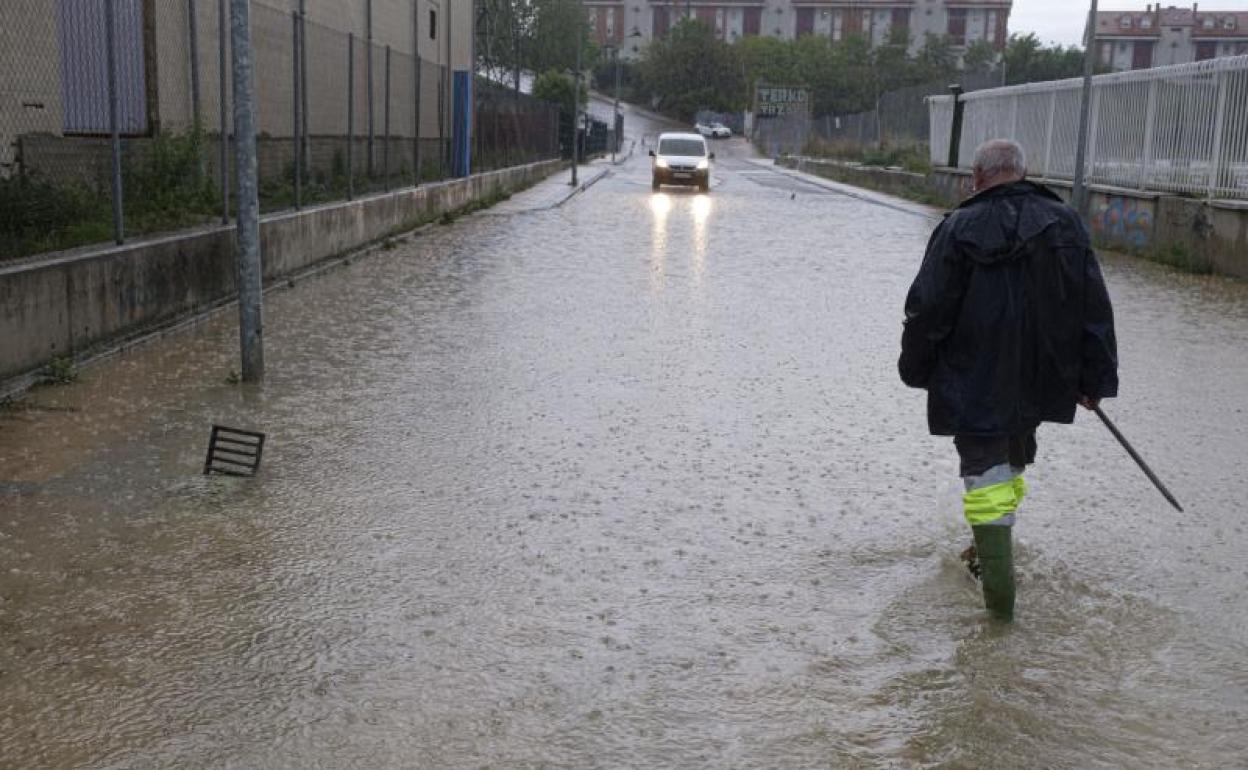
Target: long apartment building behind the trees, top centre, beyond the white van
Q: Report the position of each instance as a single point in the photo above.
(632, 24)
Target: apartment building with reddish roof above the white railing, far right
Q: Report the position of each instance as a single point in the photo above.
(1161, 37)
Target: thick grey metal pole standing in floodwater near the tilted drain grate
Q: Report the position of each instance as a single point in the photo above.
(250, 295)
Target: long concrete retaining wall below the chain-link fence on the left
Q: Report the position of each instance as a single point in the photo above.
(76, 303)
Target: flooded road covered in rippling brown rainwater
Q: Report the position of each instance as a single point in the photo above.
(625, 484)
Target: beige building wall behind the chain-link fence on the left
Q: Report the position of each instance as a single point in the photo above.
(31, 68)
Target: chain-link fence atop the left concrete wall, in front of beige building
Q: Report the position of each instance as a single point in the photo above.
(115, 115)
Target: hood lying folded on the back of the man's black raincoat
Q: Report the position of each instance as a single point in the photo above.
(997, 225)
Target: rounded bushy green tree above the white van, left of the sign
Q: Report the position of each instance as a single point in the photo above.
(692, 71)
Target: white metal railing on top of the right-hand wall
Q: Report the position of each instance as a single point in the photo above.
(1181, 129)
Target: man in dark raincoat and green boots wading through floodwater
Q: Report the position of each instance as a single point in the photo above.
(1008, 325)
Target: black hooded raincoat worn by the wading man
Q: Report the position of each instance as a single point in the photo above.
(1009, 320)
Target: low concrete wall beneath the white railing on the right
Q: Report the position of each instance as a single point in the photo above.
(1195, 235)
